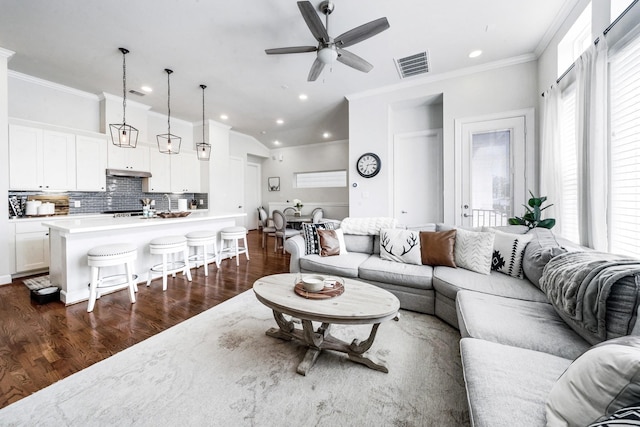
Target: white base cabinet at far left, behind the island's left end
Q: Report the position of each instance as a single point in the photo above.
(32, 247)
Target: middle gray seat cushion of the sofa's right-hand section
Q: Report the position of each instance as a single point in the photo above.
(519, 323)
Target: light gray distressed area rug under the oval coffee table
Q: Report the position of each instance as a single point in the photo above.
(220, 369)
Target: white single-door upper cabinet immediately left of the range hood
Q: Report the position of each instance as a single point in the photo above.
(91, 163)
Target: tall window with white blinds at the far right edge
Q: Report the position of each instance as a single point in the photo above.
(625, 150)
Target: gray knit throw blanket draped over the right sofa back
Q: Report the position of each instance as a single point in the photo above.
(578, 284)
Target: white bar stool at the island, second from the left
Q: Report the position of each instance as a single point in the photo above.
(169, 245)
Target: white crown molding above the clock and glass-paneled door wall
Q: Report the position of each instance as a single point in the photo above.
(445, 76)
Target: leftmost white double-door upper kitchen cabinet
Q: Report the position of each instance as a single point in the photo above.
(41, 159)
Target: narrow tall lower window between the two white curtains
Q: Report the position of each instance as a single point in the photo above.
(568, 152)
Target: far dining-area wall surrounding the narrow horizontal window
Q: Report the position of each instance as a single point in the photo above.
(325, 156)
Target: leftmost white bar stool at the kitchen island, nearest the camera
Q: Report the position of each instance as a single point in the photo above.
(108, 256)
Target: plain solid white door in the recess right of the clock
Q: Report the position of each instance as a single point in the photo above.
(417, 177)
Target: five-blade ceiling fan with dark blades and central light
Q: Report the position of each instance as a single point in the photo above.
(331, 49)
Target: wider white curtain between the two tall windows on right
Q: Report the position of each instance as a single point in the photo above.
(592, 136)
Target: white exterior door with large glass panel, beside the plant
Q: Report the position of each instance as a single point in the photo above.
(493, 171)
